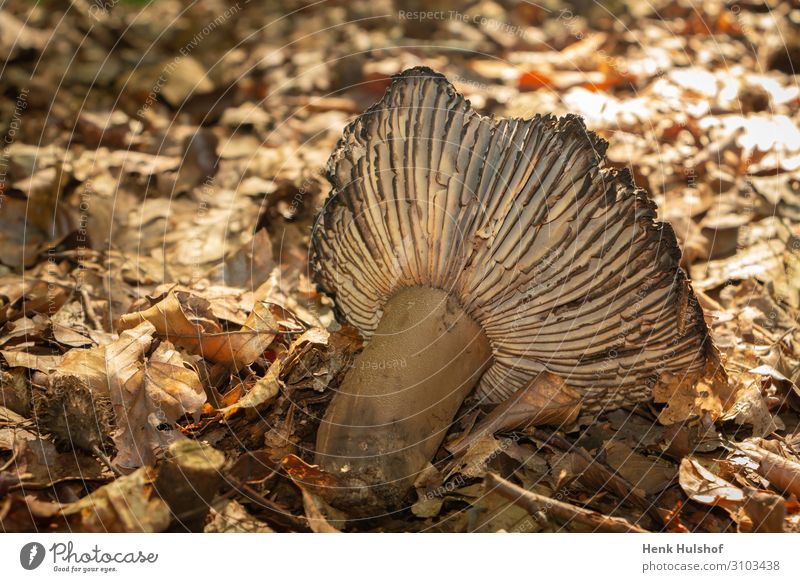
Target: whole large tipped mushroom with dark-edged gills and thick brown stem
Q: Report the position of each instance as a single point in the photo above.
(472, 251)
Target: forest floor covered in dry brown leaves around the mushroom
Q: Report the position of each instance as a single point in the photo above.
(161, 170)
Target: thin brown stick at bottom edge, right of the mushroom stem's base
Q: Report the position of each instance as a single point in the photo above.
(565, 512)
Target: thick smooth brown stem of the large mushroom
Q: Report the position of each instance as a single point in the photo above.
(397, 402)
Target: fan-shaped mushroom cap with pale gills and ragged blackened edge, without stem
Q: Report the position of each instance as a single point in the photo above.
(555, 254)
